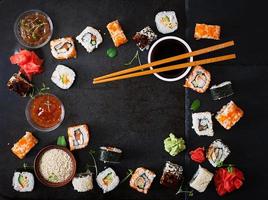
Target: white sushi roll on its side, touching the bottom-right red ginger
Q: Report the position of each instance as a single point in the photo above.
(201, 179)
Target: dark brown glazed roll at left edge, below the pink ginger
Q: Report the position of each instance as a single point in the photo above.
(19, 85)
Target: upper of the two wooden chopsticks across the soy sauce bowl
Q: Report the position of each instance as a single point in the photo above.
(167, 60)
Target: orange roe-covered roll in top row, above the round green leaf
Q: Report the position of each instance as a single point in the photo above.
(116, 33)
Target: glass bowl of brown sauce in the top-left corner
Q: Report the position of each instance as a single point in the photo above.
(33, 29)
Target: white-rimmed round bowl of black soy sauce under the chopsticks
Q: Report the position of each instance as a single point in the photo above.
(166, 47)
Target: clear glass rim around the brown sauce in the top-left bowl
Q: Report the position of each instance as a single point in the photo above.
(17, 29)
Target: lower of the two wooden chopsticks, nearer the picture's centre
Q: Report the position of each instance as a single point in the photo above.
(169, 68)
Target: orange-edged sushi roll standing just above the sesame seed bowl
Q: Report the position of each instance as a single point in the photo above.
(78, 136)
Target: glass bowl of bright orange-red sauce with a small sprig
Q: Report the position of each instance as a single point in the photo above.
(45, 112)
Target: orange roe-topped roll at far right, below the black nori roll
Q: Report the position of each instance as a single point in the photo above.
(229, 115)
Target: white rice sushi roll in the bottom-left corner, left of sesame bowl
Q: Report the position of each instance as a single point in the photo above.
(23, 181)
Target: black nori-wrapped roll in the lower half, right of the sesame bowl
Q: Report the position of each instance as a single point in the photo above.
(110, 154)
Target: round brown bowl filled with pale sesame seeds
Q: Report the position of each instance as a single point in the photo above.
(55, 166)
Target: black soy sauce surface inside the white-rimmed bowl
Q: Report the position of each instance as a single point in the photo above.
(168, 48)
